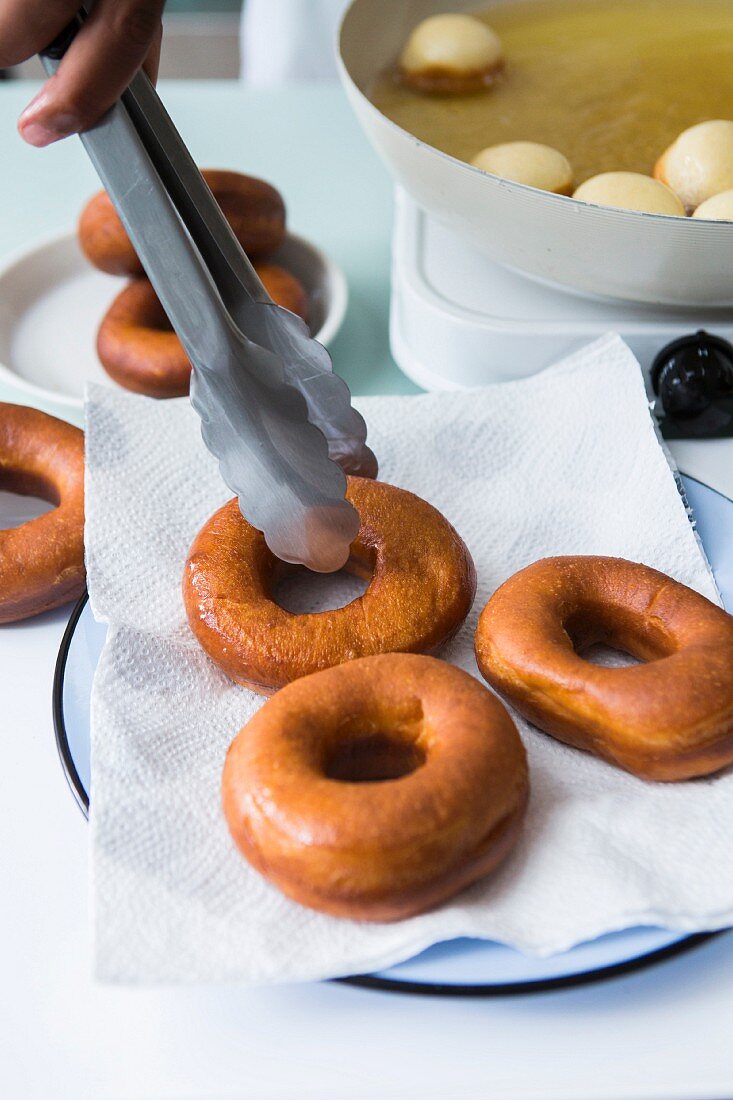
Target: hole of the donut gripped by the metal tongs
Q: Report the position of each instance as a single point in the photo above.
(301, 591)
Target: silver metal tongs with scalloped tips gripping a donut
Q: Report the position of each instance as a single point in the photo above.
(273, 413)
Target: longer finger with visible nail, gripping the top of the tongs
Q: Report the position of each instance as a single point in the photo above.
(108, 51)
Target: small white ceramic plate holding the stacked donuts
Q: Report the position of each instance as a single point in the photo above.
(52, 302)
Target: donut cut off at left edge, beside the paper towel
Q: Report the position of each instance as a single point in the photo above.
(41, 562)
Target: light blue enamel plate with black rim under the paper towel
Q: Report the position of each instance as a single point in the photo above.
(463, 966)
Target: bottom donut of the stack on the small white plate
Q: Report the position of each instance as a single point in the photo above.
(139, 349)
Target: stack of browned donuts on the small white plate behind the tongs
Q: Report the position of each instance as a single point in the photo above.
(136, 344)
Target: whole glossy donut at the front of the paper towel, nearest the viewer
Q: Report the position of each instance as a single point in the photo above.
(378, 789)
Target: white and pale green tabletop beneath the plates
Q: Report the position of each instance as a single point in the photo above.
(661, 1033)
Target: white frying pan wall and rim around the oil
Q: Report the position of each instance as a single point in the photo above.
(594, 250)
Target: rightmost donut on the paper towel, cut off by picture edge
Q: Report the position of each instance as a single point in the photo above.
(670, 719)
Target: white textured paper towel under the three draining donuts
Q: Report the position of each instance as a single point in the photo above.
(564, 463)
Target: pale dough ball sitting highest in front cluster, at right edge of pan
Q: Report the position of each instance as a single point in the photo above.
(699, 163)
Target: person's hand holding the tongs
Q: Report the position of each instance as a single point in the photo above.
(118, 38)
